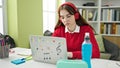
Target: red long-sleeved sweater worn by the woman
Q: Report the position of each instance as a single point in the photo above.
(74, 41)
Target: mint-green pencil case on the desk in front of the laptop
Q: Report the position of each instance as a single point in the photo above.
(71, 64)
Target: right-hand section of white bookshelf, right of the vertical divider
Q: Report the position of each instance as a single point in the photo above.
(110, 17)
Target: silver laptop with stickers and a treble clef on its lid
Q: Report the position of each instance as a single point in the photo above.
(48, 49)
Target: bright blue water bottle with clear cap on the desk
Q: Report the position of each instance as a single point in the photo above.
(87, 50)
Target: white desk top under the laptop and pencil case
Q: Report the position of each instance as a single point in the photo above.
(6, 63)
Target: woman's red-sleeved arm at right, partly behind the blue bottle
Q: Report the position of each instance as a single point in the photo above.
(95, 48)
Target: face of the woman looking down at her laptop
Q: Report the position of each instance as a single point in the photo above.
(67, 19)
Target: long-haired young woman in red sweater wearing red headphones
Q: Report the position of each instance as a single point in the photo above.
(73, 27)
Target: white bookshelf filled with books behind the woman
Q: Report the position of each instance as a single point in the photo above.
(102, 15)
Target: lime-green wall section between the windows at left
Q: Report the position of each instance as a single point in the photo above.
(24, 19)
